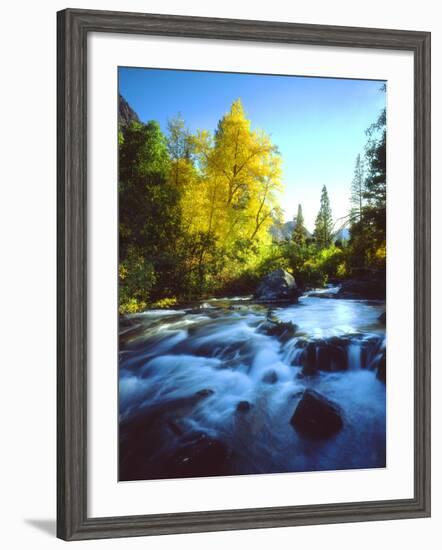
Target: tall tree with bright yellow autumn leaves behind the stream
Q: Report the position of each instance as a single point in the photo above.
(236, 198)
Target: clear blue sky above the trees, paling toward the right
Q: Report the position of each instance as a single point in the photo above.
(318, 124)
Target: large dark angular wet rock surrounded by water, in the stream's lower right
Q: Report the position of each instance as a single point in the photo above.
(316, 416)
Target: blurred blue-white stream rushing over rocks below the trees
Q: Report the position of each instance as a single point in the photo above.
(211, 389)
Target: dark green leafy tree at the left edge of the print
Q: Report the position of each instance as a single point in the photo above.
(149, 214)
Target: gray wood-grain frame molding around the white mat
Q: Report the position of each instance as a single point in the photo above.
(73, 28)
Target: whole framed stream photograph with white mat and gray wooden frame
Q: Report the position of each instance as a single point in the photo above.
(243, 274)
